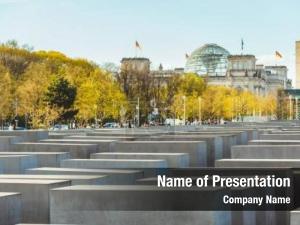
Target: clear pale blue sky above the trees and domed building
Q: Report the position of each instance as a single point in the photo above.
(105, 30)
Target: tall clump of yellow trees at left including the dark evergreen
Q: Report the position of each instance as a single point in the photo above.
(41, 88)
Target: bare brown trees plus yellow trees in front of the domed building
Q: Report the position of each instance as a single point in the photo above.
(187, 96)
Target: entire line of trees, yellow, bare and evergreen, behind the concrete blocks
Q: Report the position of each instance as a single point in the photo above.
(42, 88)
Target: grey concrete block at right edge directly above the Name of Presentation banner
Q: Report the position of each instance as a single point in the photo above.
(259, 163)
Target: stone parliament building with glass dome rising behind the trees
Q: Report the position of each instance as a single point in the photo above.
(220, 68)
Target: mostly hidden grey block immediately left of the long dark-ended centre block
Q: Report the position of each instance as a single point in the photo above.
(103, 145)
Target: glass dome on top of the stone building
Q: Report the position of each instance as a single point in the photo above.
(210, 60)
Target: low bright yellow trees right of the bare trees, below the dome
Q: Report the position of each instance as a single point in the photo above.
(217, 102)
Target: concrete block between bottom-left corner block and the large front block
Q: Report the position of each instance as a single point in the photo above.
(34, 196)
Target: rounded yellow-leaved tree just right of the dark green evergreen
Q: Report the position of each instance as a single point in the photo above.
(100, 97)
